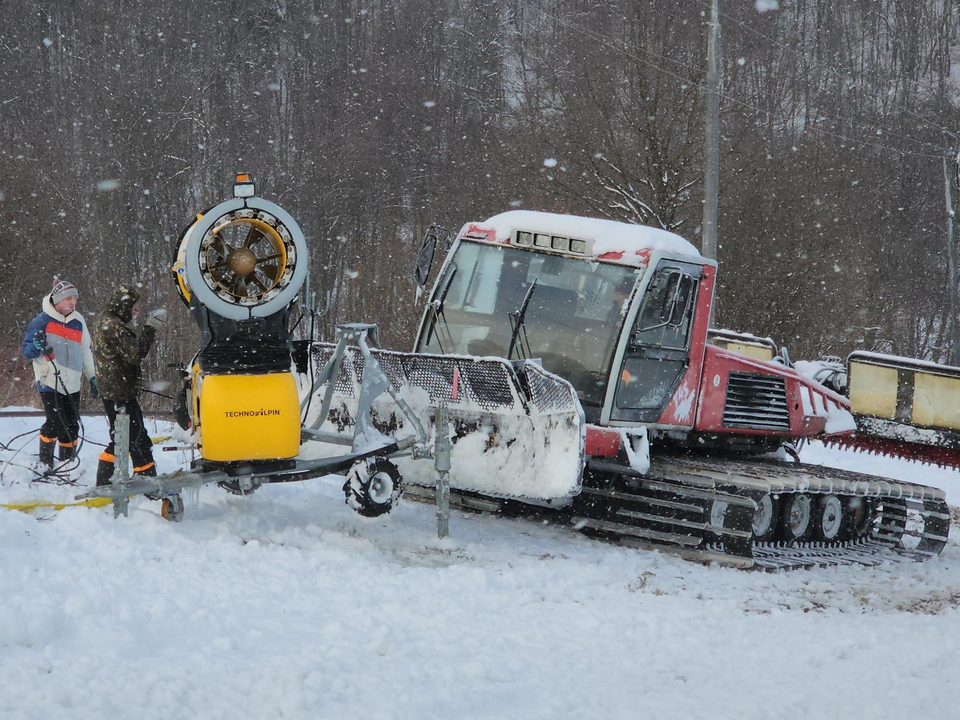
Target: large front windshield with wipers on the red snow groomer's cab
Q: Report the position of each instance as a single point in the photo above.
(571, 321)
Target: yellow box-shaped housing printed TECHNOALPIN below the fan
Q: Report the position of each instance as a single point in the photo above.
(248, 417)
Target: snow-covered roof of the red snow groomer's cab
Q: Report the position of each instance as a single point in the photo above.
(605, 239)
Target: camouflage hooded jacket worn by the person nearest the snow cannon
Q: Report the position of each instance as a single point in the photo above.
(118, 349)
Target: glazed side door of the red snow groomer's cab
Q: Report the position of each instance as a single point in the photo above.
(658, 350)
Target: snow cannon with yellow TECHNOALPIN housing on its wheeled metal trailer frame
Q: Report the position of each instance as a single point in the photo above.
(239, 267)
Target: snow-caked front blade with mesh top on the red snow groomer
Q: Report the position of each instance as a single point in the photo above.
(518, 430)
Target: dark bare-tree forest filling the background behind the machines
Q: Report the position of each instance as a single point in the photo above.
(369, 120)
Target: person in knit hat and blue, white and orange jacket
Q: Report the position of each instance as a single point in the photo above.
(58, 343)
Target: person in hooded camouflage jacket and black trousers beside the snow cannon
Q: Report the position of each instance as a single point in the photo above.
(118, 351)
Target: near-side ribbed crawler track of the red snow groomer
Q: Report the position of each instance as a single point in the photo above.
(669, 507)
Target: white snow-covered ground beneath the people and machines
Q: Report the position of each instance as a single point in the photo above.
(287, 605)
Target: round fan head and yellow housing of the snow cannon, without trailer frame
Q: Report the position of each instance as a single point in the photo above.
(238, 268)
